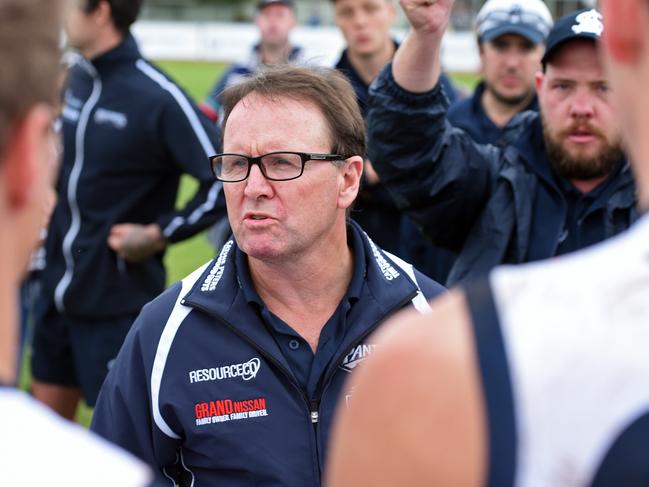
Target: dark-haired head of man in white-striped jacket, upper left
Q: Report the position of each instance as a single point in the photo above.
(93, 25)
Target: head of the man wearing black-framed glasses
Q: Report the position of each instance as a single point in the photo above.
(296, 109)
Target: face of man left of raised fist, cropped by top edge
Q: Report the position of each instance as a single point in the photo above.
(365, 24)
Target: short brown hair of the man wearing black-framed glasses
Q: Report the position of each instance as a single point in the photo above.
(326, 88)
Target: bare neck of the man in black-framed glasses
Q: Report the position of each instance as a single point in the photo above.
(305, 291)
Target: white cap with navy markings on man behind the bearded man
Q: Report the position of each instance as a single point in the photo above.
(530, 19)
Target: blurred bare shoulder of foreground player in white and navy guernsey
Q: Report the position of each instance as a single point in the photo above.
(415, 416)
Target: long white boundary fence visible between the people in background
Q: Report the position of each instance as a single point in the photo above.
(227, 42)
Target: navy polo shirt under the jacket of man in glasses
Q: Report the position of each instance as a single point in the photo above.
(307, 367)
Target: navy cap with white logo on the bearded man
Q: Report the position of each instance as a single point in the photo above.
(582, 24)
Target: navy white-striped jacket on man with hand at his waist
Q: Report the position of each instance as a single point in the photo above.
(129, 134)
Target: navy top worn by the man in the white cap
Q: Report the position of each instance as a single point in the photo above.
(469, 115)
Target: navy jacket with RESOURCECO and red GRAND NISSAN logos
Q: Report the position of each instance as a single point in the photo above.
(202, 391)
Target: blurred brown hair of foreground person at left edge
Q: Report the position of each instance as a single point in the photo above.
(29, 55)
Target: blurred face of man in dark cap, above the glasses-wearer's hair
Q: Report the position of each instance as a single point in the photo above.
(275, 20)
